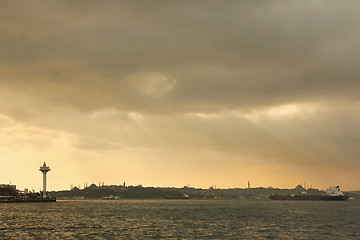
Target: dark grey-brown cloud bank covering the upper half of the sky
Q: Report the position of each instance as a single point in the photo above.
(222, 55)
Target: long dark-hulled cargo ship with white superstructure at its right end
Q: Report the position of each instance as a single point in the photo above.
(331, 194)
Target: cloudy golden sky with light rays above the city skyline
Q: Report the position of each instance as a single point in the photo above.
(175, 93)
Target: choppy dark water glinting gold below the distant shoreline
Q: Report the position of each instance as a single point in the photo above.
(180, 219)
